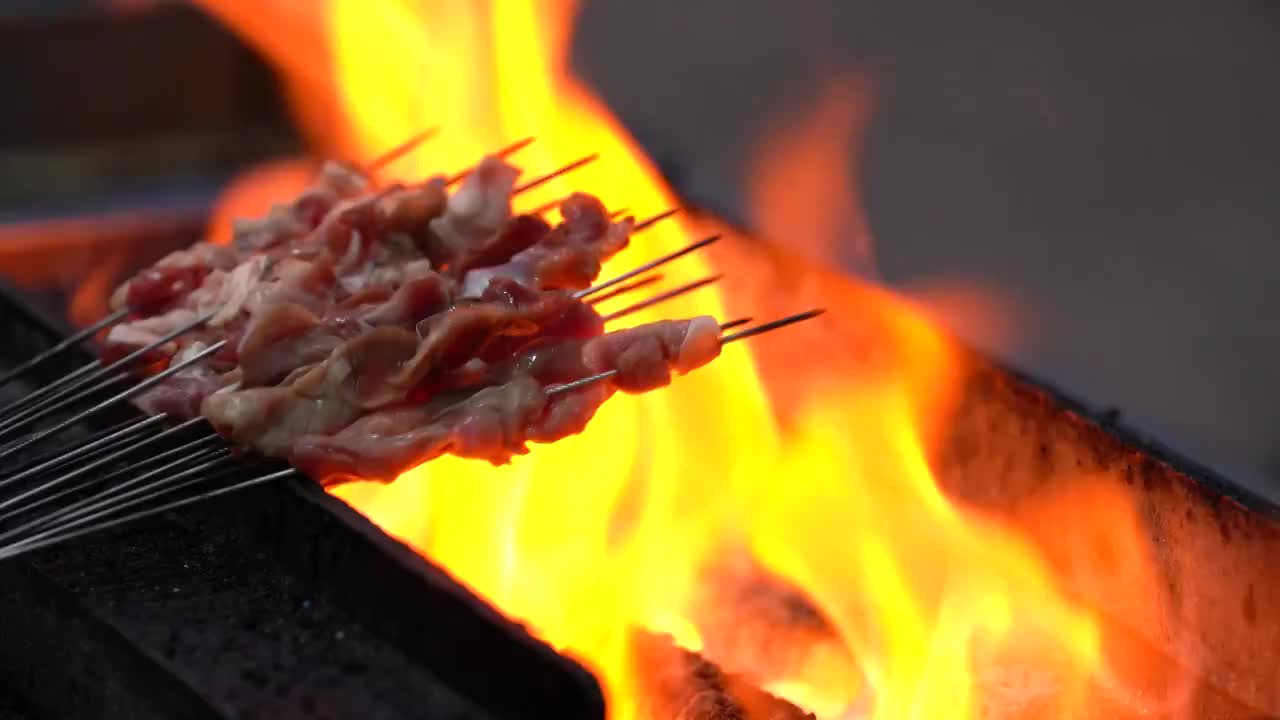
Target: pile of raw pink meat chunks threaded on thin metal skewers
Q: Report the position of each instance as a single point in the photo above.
(360, 331)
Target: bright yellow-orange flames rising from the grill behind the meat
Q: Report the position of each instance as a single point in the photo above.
(913, 608)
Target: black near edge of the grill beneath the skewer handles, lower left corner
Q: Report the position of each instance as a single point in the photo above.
(280, 604)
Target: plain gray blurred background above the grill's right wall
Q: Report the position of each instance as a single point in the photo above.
(1112, 167)
